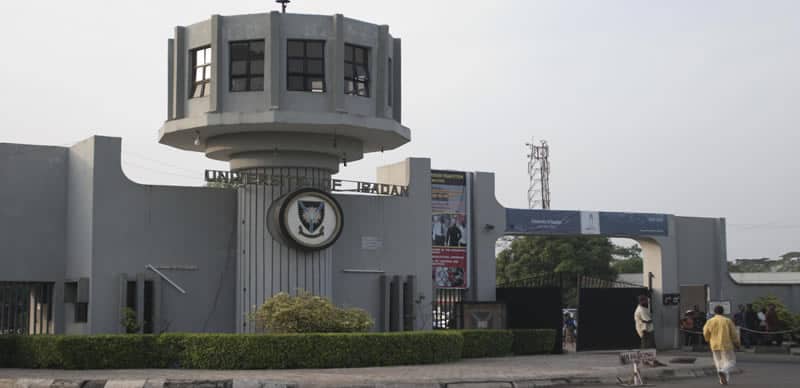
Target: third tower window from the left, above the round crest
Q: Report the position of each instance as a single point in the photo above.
(305, 64)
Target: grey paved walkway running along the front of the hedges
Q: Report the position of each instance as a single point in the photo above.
(495, 372)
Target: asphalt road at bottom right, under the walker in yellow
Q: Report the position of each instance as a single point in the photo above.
(761, 373)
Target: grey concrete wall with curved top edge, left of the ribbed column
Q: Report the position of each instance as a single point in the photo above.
(135, 225)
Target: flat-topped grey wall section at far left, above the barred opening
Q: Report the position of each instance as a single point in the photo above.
(33, 212)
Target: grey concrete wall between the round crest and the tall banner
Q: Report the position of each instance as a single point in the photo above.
(401, 226)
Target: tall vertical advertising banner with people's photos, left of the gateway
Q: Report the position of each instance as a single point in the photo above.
(449, 228)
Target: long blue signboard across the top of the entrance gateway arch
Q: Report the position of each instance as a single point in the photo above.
(571, 222)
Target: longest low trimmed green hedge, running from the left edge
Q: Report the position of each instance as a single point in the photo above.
(231, 351)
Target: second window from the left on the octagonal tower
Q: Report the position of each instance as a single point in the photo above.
(247, 66)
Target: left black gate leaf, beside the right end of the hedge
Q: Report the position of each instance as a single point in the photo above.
(534, 303)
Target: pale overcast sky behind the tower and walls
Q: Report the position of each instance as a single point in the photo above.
(683, 107)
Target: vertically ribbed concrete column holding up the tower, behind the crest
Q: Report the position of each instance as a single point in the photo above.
(265, 265)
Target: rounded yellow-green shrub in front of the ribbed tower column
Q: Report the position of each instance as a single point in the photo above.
(307, 313)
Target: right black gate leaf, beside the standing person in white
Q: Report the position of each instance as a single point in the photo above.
(605, 314)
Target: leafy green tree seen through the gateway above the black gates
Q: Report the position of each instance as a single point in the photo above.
(533, 255)
